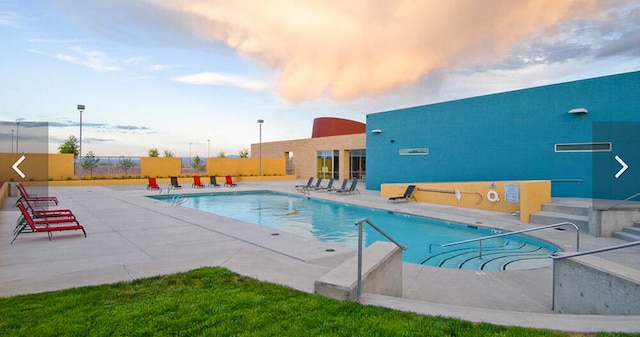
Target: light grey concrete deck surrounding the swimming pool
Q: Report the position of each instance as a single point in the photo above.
(130, 236)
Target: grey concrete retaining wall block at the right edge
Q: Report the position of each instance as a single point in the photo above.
(591, 285)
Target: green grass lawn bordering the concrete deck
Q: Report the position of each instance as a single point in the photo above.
(217, 302)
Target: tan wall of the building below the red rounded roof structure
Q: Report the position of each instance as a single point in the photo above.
(304, 152)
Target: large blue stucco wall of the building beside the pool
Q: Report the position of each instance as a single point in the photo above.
(511, 136)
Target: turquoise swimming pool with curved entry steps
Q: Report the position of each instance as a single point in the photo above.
(334, 222)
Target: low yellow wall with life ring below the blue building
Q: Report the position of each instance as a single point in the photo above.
(474, 195)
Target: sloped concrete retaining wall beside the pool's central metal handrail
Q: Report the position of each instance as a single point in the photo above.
(381, 274)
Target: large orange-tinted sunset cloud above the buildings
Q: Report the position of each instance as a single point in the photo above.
(350, 49)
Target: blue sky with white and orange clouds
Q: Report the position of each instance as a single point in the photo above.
(194, 76)
